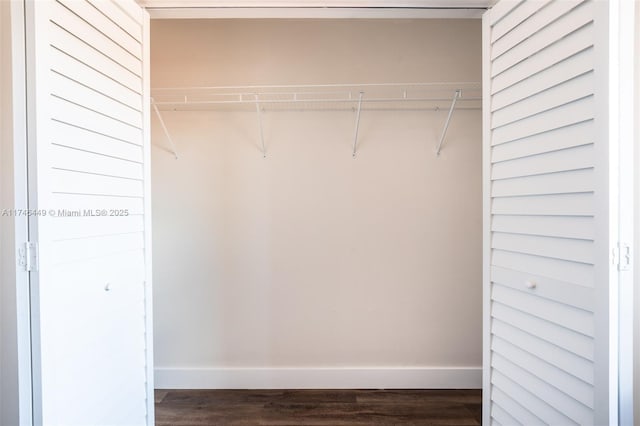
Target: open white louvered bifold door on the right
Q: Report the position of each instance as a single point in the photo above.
(547, 263)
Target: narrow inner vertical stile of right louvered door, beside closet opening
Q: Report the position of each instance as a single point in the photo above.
(486, 218)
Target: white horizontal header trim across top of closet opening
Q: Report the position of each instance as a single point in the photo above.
(311, 13)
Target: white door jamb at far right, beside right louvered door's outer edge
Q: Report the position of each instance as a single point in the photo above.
(622, 136)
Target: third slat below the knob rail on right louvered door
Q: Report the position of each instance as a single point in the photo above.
(571, 363)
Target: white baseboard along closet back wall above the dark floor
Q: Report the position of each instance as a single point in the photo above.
(319, 378)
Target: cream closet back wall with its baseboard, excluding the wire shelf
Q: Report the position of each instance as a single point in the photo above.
(310, 259)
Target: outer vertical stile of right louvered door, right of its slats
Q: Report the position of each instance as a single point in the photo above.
(605, 231)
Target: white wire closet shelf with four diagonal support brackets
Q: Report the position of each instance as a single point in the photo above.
(447, 96)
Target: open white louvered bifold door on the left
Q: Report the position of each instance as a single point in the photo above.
(88, 189)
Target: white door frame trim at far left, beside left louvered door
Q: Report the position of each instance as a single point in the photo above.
(15, 321)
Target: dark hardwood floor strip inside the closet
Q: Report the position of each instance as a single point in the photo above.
(318, 407)
